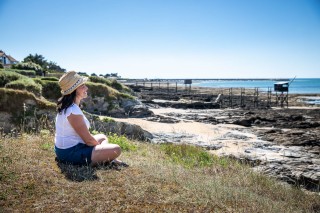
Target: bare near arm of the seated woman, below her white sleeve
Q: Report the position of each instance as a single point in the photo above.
(78, 124)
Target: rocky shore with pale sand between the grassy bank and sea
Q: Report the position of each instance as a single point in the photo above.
(280, 142)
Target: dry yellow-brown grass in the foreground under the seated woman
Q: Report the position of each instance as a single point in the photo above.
(32, 181)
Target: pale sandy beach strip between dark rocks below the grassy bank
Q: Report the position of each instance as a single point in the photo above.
(232, 138)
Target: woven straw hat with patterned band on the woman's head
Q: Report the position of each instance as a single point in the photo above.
(70, 81)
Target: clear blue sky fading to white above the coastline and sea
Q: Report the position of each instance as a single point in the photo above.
(168, 38)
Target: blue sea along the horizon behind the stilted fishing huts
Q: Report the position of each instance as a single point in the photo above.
(310, 86)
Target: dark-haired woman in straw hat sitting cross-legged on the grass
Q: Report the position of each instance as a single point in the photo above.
(73, 142)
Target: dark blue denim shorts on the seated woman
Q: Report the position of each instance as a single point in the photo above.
(79, 154)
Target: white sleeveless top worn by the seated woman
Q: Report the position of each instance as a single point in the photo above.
(66, 136)
